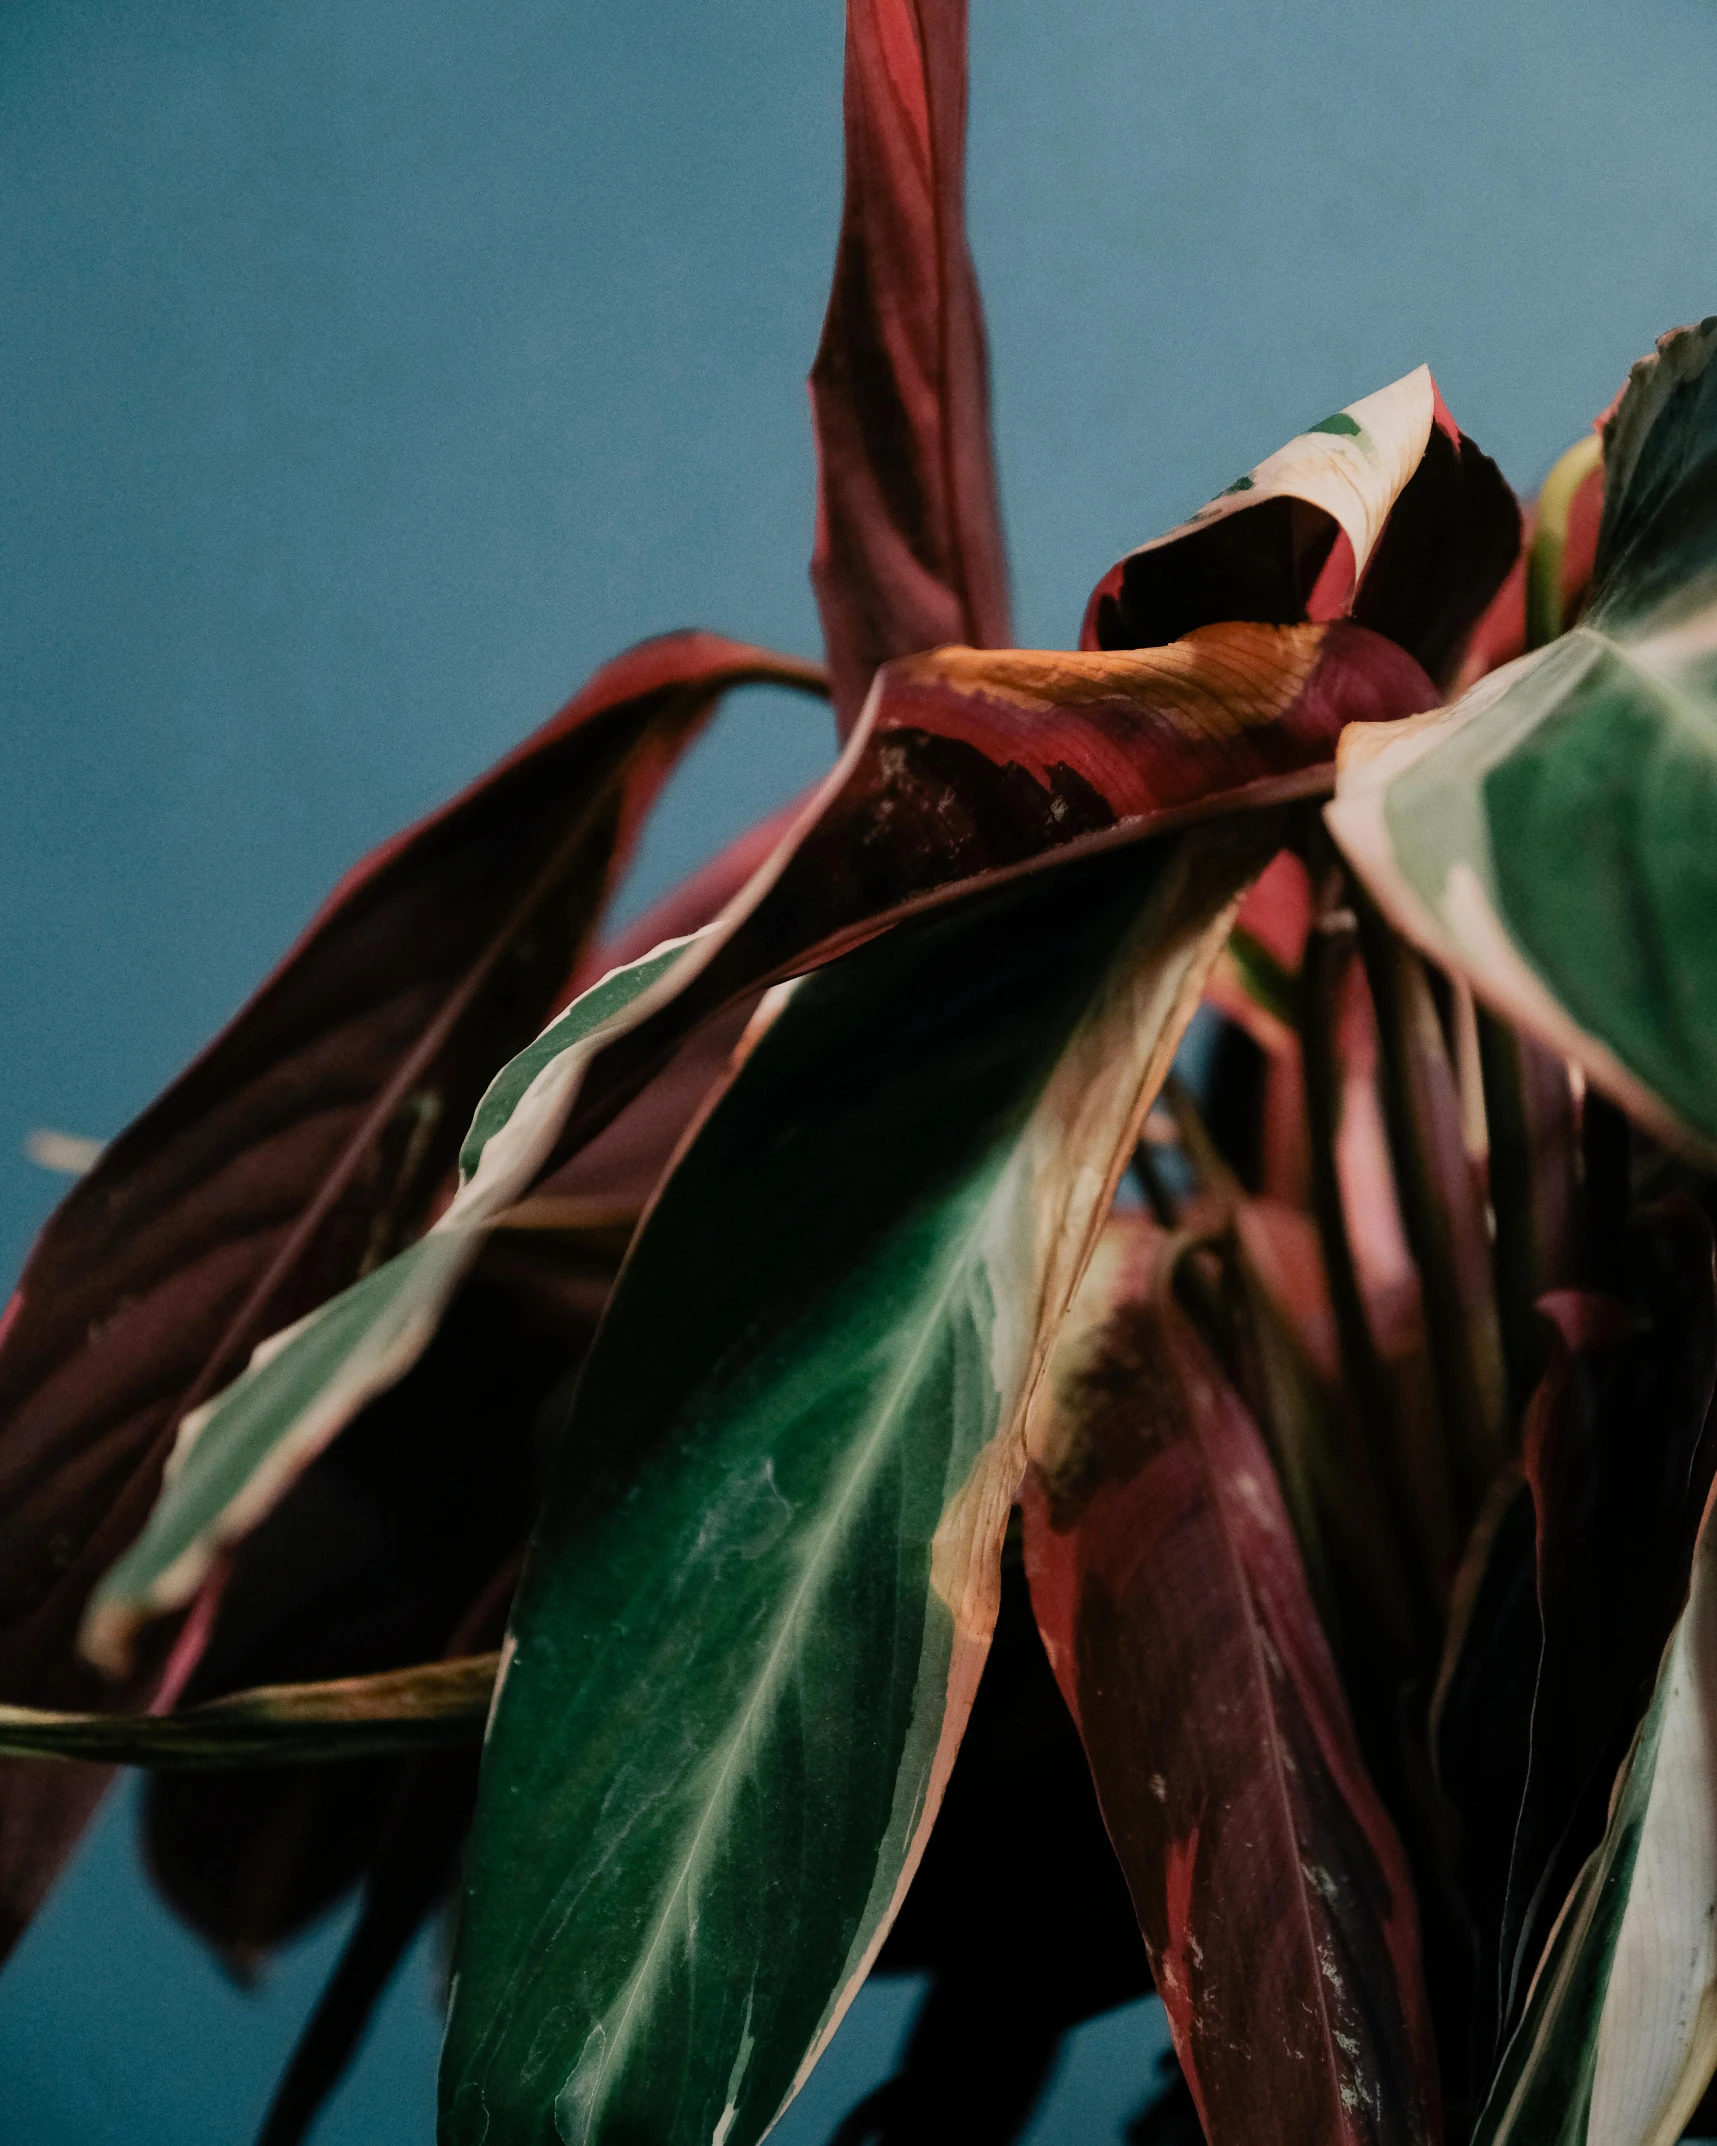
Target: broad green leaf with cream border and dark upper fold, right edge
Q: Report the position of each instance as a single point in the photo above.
(1551, 834)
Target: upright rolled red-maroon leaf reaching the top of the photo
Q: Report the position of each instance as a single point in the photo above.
(909, 548)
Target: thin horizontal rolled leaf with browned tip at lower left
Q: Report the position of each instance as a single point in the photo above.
(398, 1711)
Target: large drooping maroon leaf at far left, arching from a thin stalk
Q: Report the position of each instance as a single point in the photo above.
(304, 1147)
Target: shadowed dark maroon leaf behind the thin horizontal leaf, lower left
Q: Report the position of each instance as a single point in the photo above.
(370, 1563)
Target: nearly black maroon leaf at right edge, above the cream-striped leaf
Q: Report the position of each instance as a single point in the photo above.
(1619, 1454)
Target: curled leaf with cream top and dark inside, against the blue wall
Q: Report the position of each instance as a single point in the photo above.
(1385, 512)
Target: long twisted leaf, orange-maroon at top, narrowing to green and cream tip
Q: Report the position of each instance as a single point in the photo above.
(967, 765)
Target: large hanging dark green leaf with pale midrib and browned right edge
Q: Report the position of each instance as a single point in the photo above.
(767, 1574)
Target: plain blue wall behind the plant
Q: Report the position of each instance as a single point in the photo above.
(372, 370)
